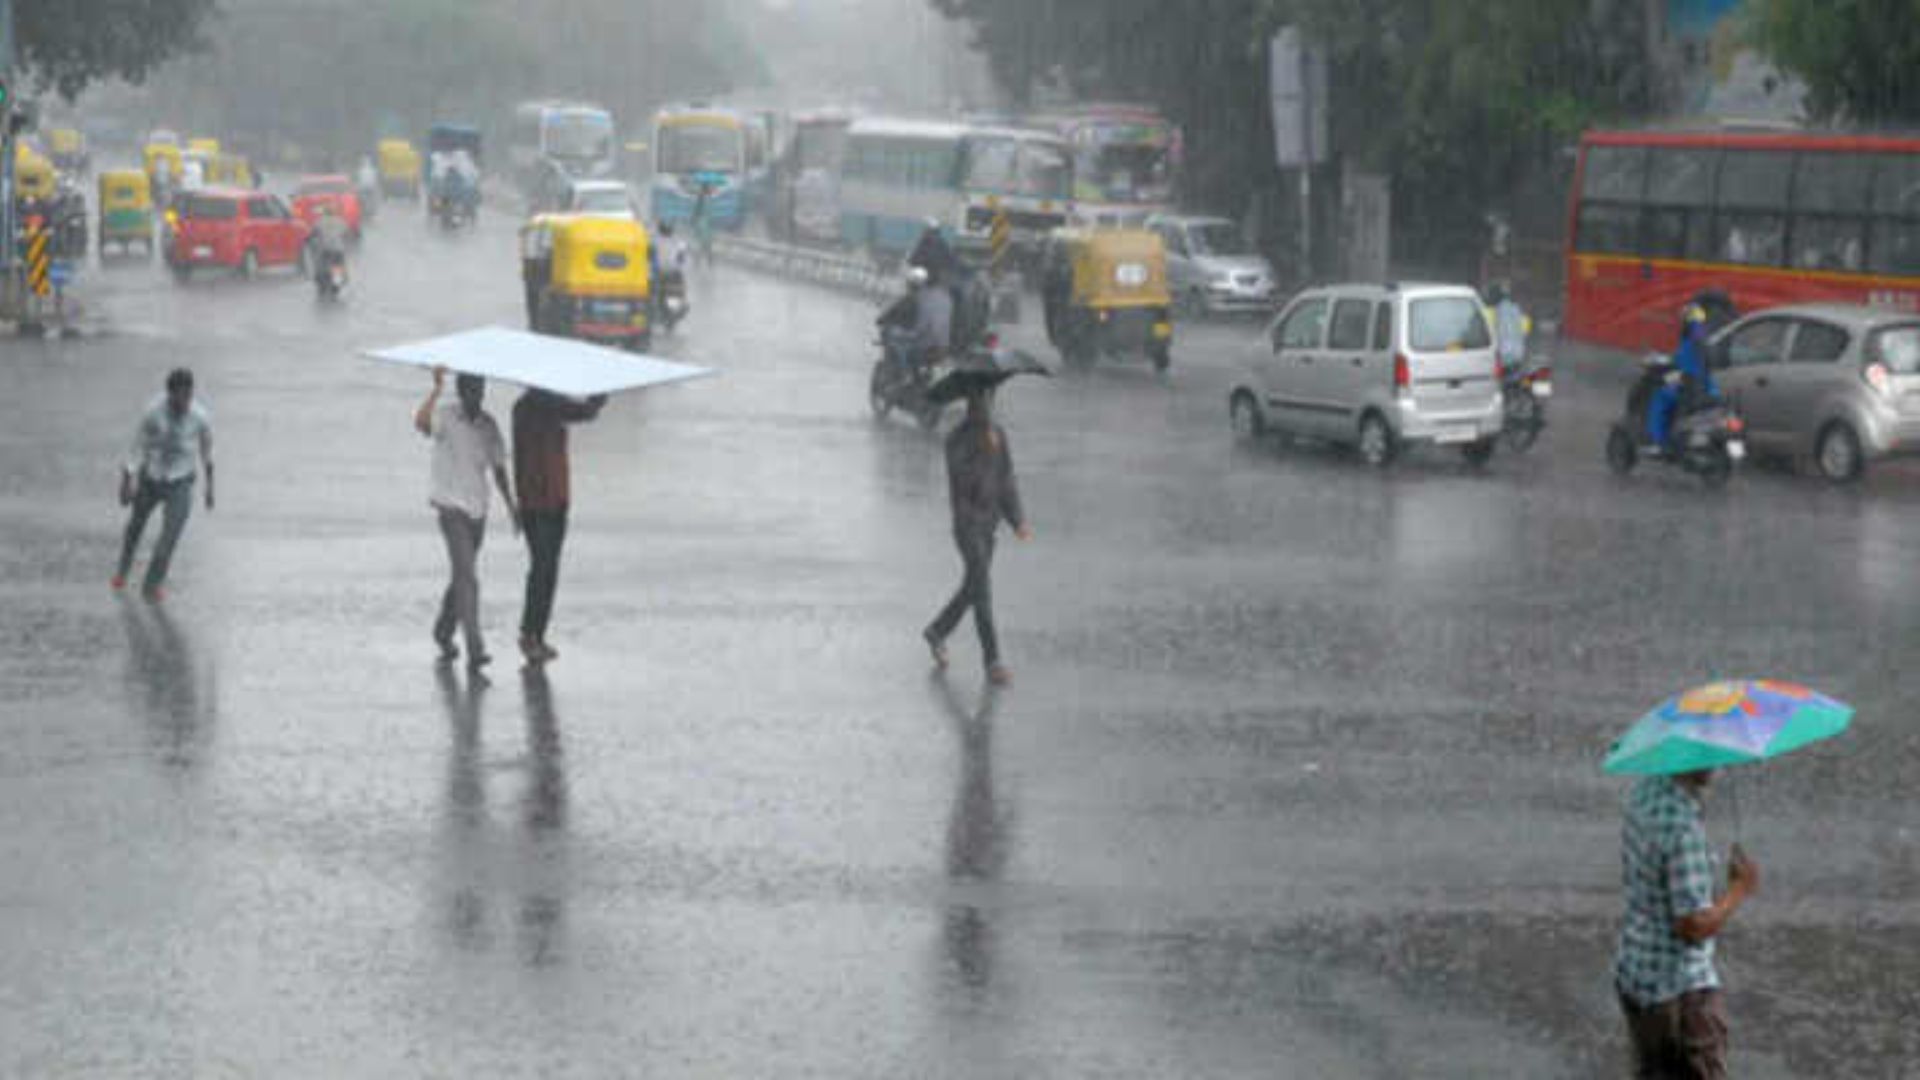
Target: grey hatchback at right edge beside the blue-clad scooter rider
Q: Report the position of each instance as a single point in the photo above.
(1836, 383)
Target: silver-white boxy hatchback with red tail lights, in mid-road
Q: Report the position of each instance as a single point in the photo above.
(1378, 368)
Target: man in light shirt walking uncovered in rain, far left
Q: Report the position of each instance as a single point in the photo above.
(172, 445)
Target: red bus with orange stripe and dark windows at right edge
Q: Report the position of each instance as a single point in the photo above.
(1765, 218)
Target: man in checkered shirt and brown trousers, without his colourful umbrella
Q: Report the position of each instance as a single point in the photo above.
(1664, 968)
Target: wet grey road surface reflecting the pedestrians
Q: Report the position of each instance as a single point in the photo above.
(1299, 775)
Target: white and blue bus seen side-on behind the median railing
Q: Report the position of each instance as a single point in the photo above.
(898, 176)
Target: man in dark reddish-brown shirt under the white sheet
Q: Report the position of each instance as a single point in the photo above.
(540, 478)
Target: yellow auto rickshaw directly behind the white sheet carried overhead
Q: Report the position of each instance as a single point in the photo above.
(588, 278)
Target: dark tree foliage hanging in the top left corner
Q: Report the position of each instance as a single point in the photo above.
(72, 43)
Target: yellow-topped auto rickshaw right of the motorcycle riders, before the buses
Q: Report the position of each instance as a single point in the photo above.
(1107, 295)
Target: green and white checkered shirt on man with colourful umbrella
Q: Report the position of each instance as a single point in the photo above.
(1668, 871)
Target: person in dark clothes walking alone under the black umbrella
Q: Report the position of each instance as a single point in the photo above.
(982, 491)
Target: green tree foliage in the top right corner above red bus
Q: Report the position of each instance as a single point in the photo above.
(1860, 59)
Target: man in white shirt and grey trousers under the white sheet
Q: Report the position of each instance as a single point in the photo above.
(468, 447)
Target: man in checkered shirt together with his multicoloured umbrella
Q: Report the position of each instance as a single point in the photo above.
(1664, 968)
